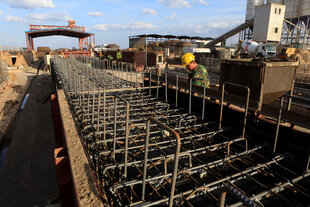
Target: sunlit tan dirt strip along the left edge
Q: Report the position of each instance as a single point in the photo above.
(12, 95)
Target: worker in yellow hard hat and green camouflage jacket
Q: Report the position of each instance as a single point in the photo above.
(197, 72)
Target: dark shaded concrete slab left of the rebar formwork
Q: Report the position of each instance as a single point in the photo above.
(28, 174)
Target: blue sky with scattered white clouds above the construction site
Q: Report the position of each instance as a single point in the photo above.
(113, 21)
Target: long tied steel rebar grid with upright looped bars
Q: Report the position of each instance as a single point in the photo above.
(147, 152)
